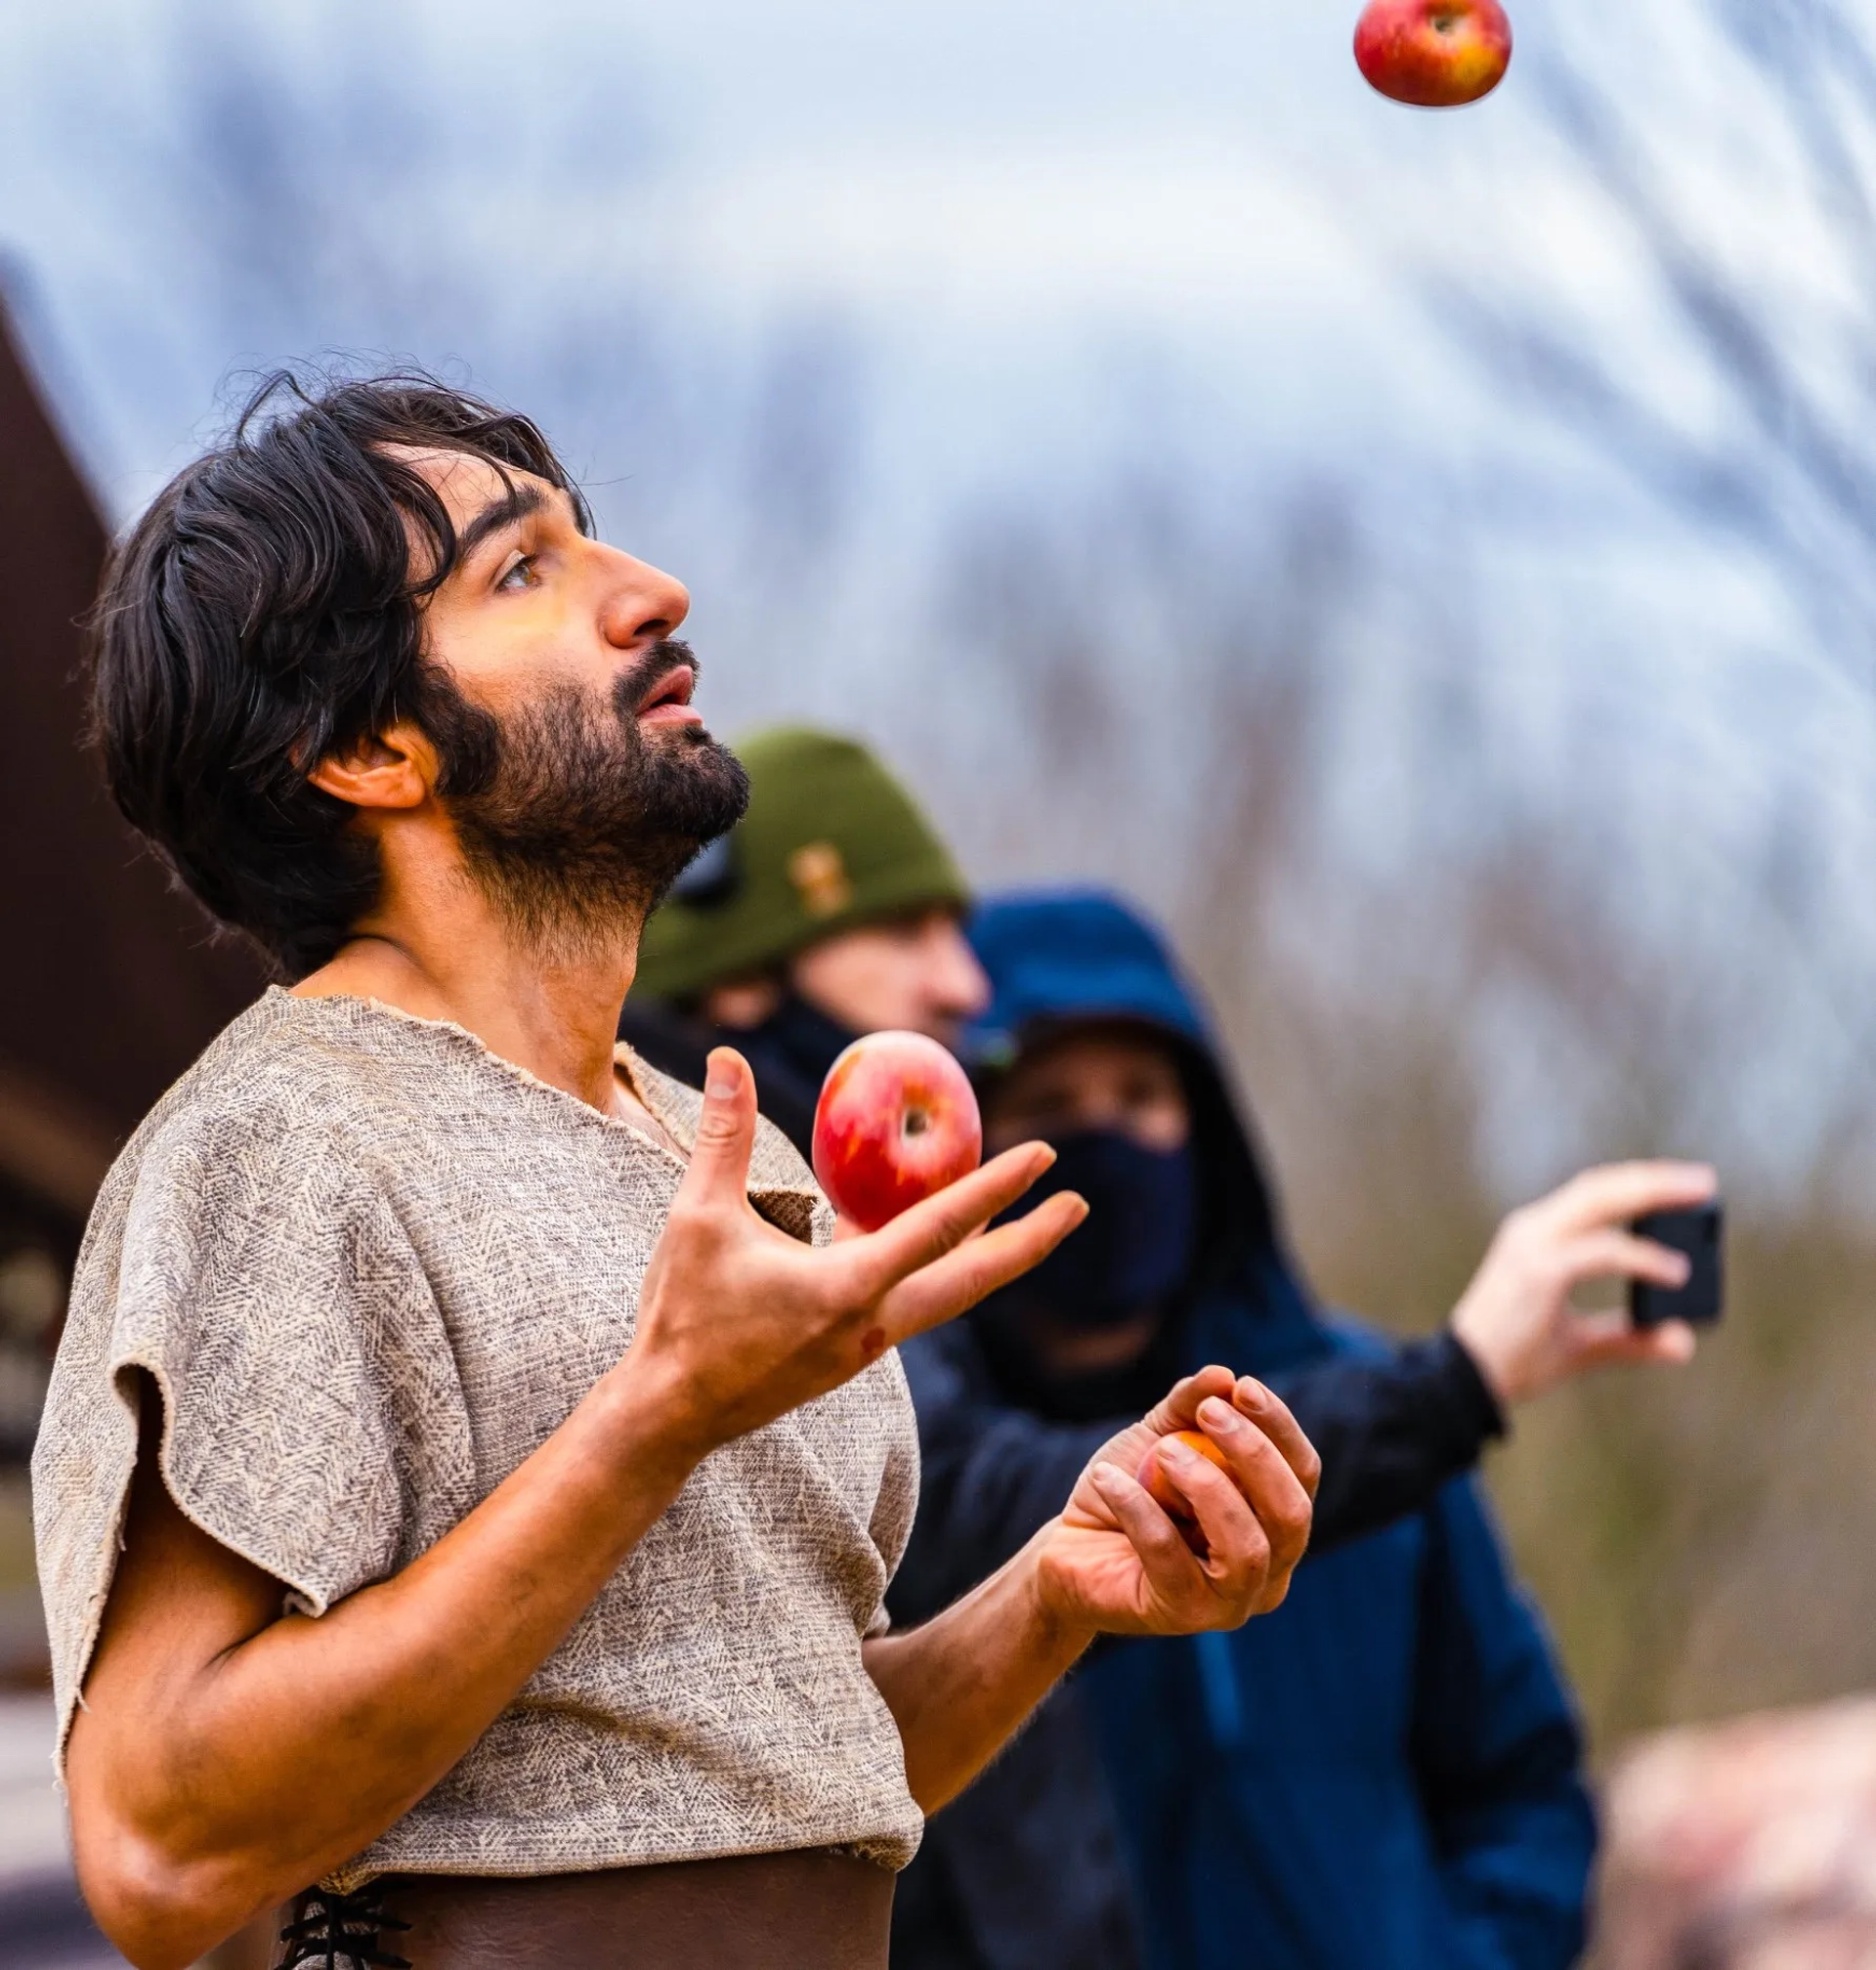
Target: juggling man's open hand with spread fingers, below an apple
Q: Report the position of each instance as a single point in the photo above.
(740, 1323)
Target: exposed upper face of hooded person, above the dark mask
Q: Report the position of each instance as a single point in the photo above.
(1114, 1079)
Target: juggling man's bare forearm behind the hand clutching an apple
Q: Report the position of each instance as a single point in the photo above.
(963, 1683)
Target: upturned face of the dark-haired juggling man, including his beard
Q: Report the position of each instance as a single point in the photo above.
(576, 771)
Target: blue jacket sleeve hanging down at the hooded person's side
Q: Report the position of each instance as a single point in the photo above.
(1499, 1754)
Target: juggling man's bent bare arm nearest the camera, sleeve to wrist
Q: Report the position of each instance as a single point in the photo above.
(245, 1756)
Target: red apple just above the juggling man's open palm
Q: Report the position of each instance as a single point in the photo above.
(896, 1122)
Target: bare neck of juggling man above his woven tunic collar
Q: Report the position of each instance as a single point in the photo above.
(442, 951)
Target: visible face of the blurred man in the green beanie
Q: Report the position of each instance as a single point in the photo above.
(911, 974)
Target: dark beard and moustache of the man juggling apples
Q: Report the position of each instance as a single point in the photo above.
(572, 821)
